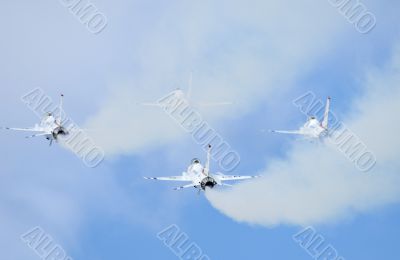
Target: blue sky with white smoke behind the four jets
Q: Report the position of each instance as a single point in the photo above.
(259, 54)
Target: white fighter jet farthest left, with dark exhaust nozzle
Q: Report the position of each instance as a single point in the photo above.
(50, 126)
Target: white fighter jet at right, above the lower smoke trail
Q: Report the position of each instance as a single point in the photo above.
(313, 128)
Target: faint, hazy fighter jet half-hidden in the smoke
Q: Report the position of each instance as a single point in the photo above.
(181, 95)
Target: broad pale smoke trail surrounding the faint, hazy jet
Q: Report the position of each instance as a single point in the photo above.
(240, 51)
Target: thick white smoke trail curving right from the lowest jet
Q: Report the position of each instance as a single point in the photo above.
(315, 185)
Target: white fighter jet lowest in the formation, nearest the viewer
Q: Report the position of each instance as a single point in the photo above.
(200, 176)
